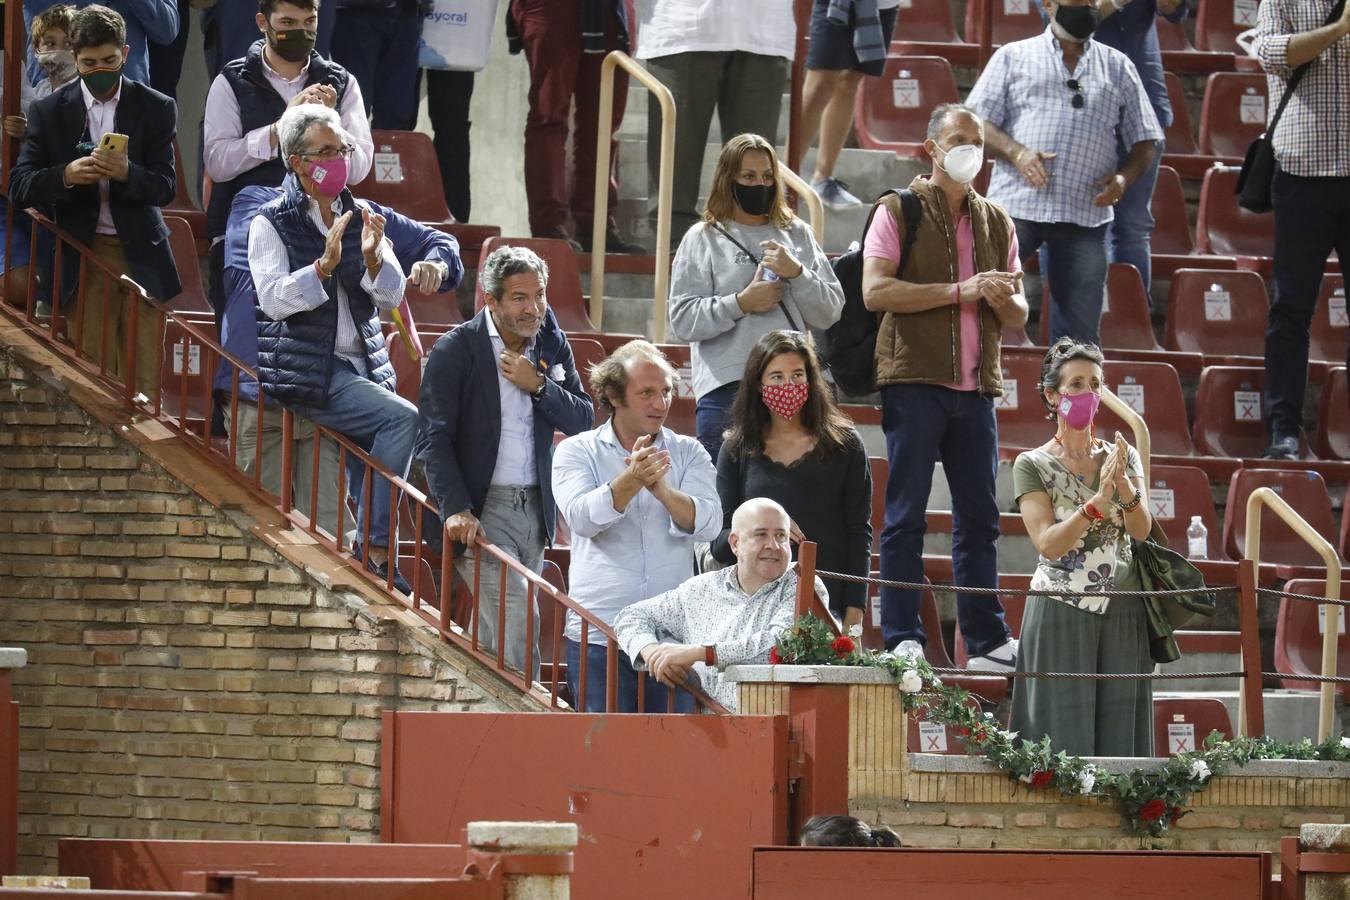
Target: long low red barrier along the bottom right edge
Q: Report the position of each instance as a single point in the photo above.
(809, 874)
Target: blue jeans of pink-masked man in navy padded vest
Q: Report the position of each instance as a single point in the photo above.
(381, 423)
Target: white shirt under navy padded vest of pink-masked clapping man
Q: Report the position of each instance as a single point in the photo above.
(283, 292)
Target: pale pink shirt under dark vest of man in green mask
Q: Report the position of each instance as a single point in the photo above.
(229, 152)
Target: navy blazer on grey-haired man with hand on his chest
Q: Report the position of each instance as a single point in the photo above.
(461, 416)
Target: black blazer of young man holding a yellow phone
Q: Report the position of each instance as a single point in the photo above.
(56, 126)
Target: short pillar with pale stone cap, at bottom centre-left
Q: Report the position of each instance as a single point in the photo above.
(535, 857)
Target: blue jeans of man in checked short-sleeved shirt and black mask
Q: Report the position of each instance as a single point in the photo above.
(1075, 264)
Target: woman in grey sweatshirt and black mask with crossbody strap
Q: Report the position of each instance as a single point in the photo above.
(749, 269)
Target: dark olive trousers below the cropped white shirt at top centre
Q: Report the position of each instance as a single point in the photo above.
(746, 90)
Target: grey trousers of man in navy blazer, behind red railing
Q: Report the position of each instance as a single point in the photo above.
(512, 520)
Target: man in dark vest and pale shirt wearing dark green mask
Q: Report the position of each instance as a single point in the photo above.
(248, 99)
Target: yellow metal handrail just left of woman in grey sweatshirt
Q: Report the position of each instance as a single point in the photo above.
(665, 190)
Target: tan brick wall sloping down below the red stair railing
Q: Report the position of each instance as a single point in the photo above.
(186, 678)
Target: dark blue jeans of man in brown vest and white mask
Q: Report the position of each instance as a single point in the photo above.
(925, 424)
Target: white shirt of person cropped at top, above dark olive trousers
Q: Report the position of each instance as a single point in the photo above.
(666, 28)
